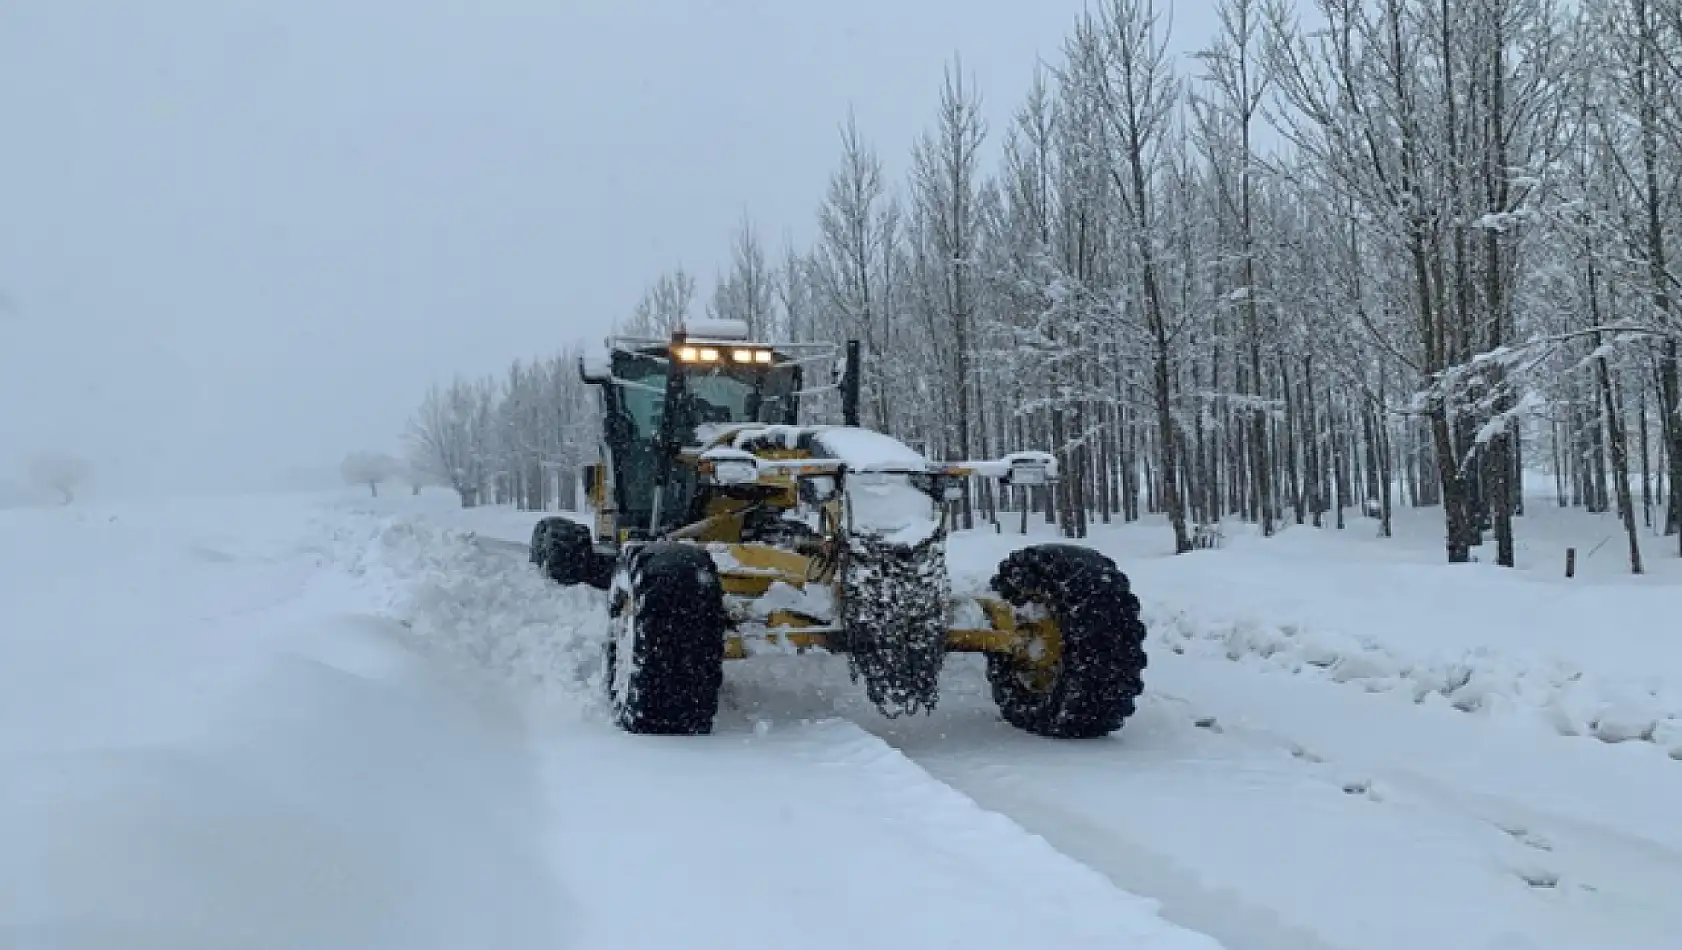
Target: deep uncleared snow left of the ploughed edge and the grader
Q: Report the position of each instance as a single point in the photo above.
(294, 722)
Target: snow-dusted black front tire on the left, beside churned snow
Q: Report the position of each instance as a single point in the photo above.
(667, 645)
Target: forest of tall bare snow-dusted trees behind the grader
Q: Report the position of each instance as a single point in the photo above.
(1400, 256)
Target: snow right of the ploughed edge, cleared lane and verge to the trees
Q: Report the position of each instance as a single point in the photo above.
(1345, 744)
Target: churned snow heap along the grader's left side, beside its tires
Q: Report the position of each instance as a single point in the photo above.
(473, 606)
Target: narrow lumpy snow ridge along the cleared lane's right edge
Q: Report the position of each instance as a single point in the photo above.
(1481, 682)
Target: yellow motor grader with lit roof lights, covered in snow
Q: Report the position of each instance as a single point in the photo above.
(722, 529)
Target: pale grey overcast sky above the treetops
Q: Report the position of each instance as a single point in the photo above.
(240, 238)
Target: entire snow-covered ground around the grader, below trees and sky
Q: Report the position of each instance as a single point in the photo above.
(336, 722)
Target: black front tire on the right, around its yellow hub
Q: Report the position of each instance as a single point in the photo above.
(1101, 675)
